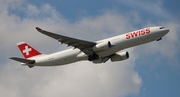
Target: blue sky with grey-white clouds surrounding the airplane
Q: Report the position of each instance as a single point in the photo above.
(153, 69)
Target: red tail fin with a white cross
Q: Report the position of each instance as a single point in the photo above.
(27, 50)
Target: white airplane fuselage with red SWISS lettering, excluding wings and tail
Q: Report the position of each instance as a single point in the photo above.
(118, 43)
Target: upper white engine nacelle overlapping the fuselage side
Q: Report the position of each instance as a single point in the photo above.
(102, 46)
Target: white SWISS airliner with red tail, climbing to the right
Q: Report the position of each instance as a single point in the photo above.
(96, 52)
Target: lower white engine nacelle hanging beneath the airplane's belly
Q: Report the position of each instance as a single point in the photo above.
(120, 56)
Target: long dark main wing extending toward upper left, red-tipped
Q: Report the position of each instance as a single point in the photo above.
(85, 46)
